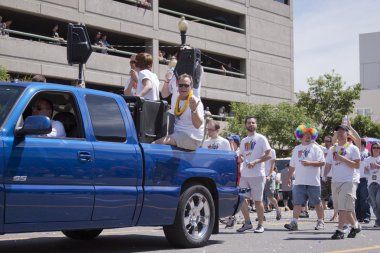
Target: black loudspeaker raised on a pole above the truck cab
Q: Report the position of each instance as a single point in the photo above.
(78, 44)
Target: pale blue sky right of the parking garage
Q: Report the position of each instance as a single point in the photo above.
(326, 37)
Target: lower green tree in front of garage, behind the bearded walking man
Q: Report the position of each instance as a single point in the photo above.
(276, 122)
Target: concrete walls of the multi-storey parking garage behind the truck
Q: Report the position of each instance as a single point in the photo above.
(262, 50)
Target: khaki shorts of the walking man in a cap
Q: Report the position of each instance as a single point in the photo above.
(344, 195)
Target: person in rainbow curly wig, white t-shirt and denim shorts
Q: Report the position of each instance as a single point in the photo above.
(307, 158)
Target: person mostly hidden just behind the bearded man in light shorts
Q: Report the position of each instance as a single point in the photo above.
(269, 188)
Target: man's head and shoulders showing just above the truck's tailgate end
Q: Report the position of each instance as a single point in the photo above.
(215, 141)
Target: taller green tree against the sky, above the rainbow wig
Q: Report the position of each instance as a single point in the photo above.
(327, 101)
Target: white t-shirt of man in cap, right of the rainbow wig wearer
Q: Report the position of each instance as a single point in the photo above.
(341, 172)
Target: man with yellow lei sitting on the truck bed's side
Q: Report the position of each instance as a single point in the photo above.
(189, 120)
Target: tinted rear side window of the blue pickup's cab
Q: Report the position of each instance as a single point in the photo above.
(106, 118)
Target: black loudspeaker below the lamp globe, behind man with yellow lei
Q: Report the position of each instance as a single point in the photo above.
(189, 62)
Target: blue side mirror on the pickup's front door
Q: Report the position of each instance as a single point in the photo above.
(36, 125)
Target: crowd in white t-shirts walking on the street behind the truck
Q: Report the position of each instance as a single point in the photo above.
(341, 169)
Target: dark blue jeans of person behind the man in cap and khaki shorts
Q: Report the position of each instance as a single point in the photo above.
(362, 209)
